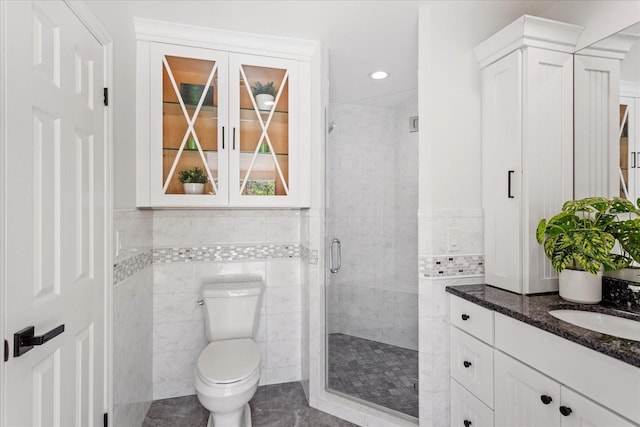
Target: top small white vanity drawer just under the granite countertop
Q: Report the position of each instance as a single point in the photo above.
(471, 318)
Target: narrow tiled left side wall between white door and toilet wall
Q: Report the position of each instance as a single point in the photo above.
(132, 318)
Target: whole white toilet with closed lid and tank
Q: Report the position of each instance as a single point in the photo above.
(228, 369)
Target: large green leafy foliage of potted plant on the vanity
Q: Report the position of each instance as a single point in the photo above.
(585, 232)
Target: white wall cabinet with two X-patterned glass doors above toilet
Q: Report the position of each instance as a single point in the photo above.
(197, 108)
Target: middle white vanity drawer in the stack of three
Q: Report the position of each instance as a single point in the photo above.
(472, 365)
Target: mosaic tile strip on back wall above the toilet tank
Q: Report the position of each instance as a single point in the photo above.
(225, 253)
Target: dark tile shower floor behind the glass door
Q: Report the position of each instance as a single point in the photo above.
(379, 373)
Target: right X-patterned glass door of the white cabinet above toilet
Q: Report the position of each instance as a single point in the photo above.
(263, 110)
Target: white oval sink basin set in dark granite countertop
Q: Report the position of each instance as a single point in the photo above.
(611, 325)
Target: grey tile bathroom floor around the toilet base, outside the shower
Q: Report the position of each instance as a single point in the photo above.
(278, 405)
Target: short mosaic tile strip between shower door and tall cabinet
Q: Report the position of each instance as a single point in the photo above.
(451, 265)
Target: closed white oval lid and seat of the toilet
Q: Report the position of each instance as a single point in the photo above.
(228, 361)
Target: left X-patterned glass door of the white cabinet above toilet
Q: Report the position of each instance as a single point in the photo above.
(194, 104)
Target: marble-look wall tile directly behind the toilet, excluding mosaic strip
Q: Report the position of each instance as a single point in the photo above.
(178, 324)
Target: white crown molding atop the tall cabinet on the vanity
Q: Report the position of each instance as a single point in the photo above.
(528, 31)
